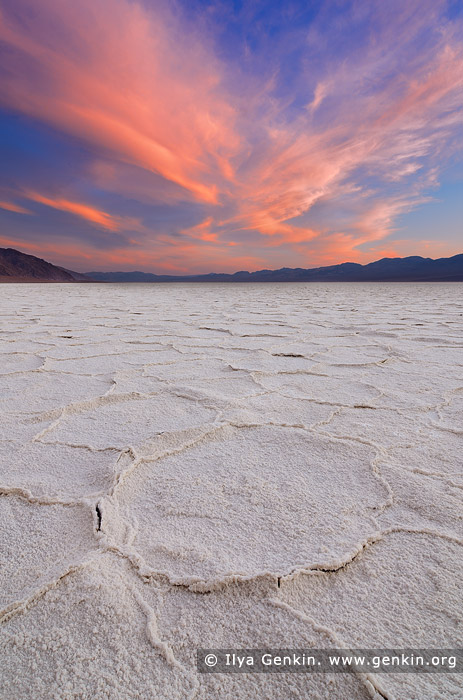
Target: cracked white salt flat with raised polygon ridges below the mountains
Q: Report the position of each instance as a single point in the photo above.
(227, 466)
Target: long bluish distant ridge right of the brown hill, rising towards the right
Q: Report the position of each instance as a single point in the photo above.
(411, 269)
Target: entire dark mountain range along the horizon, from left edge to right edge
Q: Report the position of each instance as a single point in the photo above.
(16, 266)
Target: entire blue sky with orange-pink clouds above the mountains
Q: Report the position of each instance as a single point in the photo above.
(192, 136)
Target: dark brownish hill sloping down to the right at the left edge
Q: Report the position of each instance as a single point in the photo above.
(20, 267)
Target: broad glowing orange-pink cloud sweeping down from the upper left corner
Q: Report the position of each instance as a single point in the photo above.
(129, 83)
